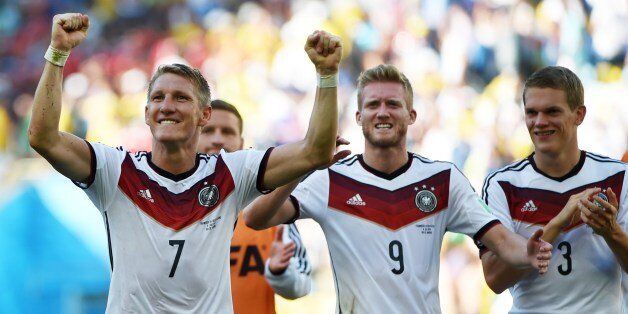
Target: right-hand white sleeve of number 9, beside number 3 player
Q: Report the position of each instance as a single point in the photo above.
(468, 214)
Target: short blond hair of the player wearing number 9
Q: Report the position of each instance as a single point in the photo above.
(384, 73)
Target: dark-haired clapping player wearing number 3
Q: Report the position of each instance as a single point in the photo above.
(556, 190)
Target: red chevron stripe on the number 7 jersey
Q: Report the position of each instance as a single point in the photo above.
(175, 211)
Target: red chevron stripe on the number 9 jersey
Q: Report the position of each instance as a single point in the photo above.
(391, 209)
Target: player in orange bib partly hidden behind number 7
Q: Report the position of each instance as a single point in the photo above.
(286, 270)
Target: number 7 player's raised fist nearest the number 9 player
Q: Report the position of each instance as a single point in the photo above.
(325, 50)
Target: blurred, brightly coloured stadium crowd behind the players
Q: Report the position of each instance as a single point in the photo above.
(466, 60)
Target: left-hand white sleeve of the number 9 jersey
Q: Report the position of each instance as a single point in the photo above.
(310, 196)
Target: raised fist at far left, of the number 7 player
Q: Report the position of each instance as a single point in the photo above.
(68, 30)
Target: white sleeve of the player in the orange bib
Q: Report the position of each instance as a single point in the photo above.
(295, 281)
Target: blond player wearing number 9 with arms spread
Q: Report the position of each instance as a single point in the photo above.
(384, 213)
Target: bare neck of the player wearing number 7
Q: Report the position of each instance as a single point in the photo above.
(175, 160)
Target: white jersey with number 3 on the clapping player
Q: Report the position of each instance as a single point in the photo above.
(584, 275)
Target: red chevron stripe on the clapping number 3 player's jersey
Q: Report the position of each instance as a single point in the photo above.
(538, 206)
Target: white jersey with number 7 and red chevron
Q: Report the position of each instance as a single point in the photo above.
(169, 235)
